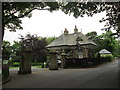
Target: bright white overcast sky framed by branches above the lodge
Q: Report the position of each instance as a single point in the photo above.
(46, 24)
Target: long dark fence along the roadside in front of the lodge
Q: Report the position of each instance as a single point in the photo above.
(75, 62)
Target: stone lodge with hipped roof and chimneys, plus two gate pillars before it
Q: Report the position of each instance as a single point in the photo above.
(70, 46)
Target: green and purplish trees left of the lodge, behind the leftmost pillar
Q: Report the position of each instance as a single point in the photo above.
(37, 44)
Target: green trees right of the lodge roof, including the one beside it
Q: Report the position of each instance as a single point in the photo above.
(105, 41)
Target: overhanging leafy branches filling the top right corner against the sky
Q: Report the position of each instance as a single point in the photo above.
(91, 8)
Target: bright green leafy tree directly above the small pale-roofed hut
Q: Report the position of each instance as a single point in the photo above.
(106, 41)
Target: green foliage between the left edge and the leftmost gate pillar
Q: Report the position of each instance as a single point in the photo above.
(11, 52)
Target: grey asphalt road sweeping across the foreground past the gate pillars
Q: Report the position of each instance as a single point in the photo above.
(104, 76)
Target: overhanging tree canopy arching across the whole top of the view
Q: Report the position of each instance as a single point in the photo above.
(13, 11)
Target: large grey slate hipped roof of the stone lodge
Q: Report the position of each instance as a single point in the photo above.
(70, 40)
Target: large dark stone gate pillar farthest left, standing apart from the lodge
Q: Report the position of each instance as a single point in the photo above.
(25, 64)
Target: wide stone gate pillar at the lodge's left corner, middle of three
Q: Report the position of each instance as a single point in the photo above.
(53, 65)
